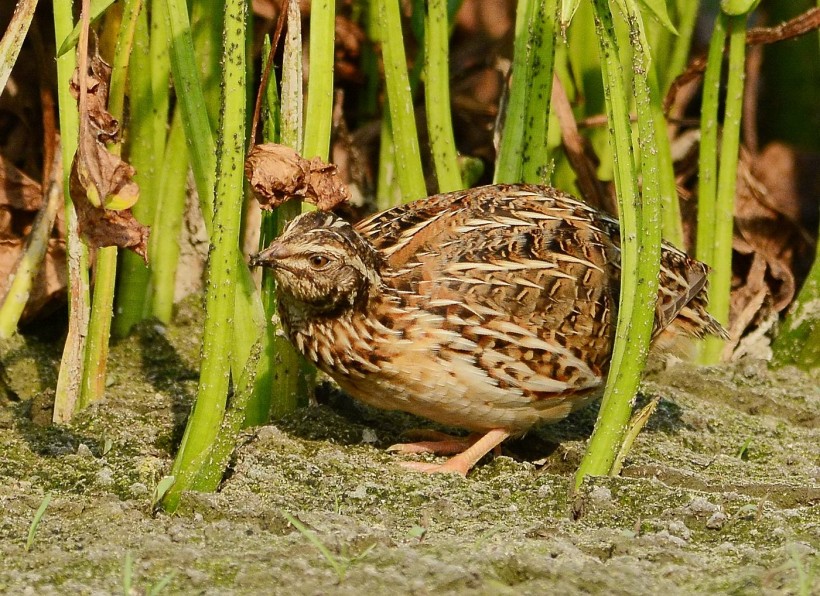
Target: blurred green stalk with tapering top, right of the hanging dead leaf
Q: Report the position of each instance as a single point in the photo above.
(164, 246)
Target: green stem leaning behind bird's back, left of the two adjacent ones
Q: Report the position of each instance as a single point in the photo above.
(400, 101)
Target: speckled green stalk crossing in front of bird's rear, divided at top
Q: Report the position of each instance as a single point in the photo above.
(640, 239)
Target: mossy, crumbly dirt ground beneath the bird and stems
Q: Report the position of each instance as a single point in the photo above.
(721, 493)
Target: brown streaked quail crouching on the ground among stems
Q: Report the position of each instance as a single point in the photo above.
(490, 309)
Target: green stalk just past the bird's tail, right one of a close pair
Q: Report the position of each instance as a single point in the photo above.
(721, 275)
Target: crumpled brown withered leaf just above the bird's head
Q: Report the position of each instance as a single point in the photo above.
(277, 174)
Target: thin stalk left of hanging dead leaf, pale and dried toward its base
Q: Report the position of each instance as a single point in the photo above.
(68, 382)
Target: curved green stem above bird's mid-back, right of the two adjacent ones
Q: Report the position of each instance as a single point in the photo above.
(437, 97)
